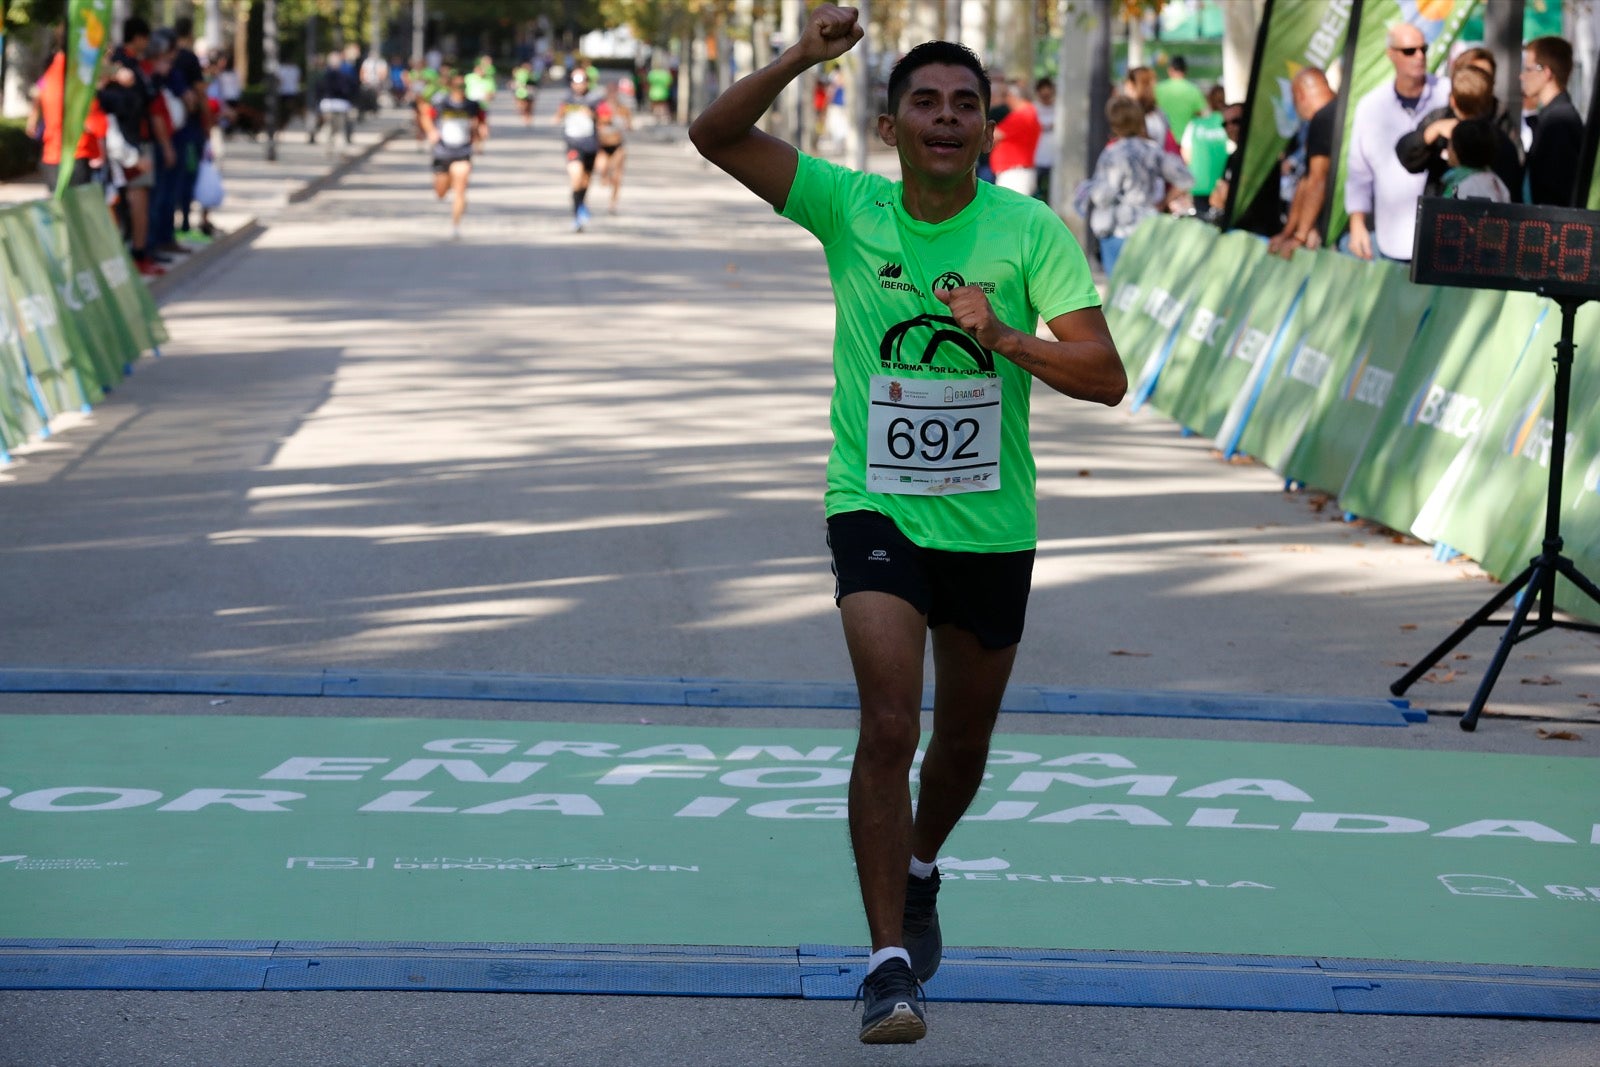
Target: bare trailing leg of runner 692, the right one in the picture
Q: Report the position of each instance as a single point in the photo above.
(969, 687)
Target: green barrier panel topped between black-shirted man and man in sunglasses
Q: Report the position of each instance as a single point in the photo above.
(1321, 346)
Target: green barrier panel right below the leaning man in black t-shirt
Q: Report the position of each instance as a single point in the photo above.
(1220, 375)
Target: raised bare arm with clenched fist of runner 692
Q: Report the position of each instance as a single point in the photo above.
(727, 132)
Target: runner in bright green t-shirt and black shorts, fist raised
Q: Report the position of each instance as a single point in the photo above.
(930, 484)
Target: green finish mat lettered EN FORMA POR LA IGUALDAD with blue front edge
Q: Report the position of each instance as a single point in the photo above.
(538, 849)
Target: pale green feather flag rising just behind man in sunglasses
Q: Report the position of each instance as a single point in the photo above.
(1441, 23)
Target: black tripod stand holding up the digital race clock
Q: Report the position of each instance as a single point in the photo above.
(1540, 577)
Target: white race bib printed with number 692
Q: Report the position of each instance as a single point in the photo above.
(929, 438)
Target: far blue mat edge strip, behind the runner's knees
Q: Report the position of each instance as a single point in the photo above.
(462, 685)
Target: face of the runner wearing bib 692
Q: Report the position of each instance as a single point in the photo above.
(942, 126)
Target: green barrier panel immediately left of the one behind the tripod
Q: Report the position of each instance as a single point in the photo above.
(1438, 407)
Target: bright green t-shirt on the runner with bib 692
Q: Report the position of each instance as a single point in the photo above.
(926, 422)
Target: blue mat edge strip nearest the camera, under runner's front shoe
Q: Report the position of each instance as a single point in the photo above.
(1126, 980)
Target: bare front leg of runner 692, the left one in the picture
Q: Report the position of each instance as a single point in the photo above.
(886, 637)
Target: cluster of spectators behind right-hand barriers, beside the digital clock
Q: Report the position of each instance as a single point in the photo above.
(1177, 150)
